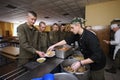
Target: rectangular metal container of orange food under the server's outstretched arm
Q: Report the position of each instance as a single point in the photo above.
(63, 51)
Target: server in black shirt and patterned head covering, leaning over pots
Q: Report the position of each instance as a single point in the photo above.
(89, 46)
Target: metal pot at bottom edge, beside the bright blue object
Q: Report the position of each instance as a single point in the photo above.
(65, 76)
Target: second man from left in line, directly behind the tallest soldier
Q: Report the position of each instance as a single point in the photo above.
(43, 37)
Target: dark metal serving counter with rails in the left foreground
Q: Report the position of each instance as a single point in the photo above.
(49, 65)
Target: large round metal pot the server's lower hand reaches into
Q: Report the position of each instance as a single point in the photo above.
(80, 75)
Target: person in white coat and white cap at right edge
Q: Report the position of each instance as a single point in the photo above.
(116, 42)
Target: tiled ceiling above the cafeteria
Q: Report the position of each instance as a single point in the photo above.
(50, 11)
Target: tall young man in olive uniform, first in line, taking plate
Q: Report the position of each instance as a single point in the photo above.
(28, 37)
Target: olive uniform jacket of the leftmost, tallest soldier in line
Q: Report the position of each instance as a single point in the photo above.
(28, 40)
